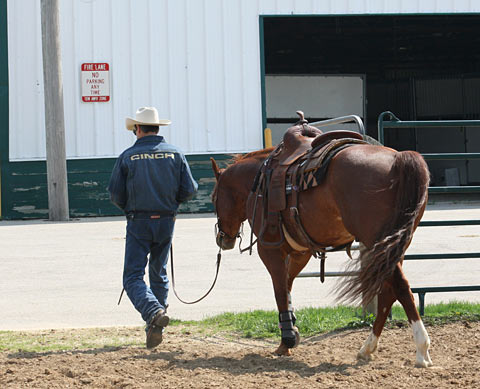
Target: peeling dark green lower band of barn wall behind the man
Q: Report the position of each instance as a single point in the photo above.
(24, 187)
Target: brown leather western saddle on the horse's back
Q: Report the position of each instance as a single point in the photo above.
(298, 163)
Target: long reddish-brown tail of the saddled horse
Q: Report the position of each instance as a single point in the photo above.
(379, 261)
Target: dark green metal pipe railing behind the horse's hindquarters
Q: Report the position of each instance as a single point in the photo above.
(395, 122)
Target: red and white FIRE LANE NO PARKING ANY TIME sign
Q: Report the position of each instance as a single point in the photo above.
(95, 82)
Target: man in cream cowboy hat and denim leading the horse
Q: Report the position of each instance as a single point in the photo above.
(149, 181)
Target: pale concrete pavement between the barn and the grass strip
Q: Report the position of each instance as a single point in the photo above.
(67, 275)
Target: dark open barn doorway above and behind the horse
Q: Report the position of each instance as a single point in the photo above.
(420, 67)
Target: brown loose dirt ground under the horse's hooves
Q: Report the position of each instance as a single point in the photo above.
(185, 360)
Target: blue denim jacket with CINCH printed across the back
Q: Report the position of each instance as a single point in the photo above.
(151, 176)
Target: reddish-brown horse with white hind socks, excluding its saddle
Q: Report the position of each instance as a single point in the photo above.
(370, 193)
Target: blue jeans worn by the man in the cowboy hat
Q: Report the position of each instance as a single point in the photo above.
(154, 237)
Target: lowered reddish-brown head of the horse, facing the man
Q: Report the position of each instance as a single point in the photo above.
(229, 206)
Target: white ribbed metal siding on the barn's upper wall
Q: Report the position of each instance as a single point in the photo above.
(197, 61)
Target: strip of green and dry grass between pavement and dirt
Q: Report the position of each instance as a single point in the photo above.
(256, 324)
